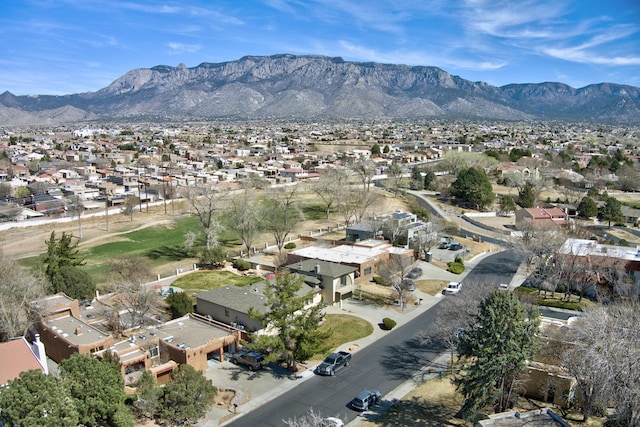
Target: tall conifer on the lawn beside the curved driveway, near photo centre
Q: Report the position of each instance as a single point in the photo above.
(297, 336)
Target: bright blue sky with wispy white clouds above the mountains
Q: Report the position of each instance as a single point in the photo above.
(70, 46)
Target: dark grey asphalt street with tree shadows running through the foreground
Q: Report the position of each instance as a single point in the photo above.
(383, 365)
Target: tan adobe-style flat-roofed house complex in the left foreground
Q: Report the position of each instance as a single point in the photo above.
(158, 349)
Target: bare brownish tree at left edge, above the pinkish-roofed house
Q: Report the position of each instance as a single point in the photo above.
(18, 288)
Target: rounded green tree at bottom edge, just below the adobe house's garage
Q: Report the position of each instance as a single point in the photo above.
(187, 397)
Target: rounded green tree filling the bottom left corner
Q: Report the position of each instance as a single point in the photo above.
(37, 400)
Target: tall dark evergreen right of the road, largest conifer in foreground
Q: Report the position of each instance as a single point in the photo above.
(497, 346)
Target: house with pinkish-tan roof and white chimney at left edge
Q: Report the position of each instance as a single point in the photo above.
(18, 355)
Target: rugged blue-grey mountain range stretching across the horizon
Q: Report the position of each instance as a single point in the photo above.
(317, 87)
